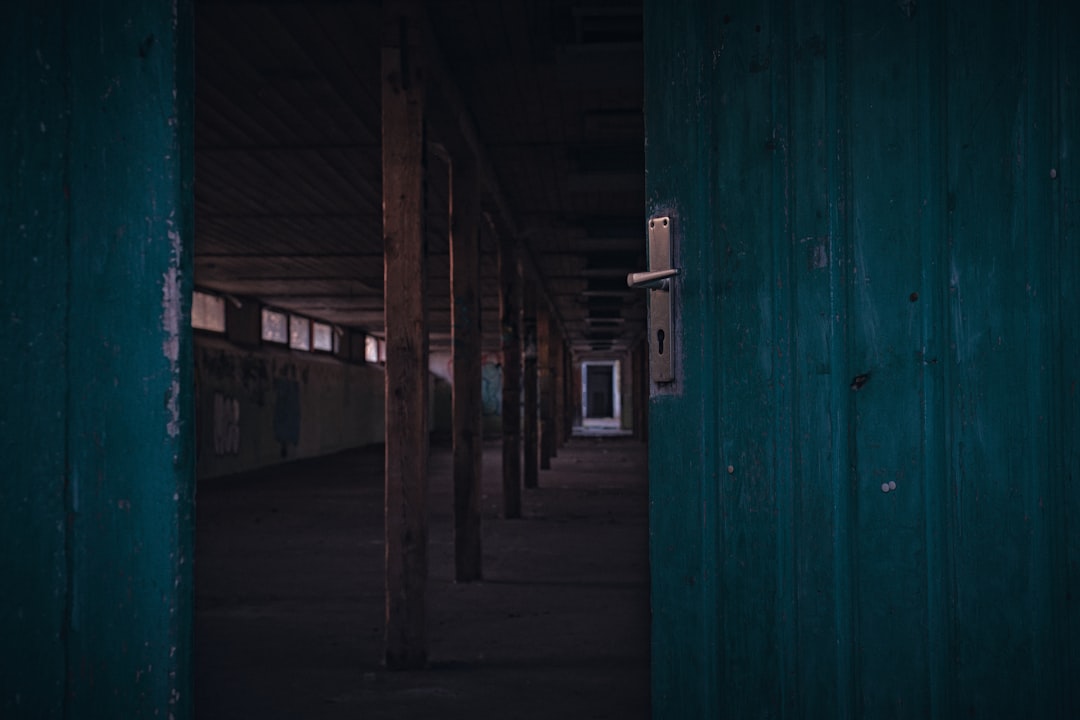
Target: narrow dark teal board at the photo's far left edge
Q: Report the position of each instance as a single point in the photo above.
(34, 292)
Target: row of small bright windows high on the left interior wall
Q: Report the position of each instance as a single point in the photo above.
(298, 332)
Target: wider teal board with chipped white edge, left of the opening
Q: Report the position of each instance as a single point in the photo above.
(131, 406)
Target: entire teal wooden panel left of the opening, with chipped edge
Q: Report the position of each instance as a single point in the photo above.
(99, 486)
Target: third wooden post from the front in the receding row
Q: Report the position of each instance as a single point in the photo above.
(510, 311)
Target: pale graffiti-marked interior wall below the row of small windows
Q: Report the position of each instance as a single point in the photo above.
(261, 406)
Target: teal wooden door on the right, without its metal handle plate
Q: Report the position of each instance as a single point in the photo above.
(865, 497)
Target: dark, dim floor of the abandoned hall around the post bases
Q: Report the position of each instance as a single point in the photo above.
(289, 594)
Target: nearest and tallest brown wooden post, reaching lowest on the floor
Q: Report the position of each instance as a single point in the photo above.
(407, 328)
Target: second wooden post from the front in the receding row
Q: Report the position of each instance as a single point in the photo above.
(468, 404)
